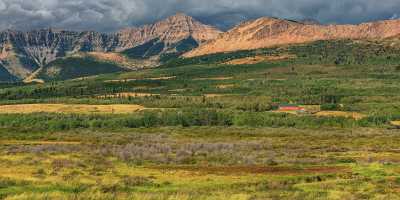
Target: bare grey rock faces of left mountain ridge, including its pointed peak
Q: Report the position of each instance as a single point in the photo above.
(21, 53)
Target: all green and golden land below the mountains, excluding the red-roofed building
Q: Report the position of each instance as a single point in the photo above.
(210, 128)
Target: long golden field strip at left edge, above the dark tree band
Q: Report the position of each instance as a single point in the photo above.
(69, 108)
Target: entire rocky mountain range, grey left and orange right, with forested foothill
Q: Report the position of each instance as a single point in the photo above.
(58, 54)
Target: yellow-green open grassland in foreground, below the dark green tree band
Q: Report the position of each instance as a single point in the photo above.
(201, 163)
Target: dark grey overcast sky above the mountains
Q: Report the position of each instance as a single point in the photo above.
(110, 15)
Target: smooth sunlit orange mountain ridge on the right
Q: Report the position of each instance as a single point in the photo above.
(268, 32)
